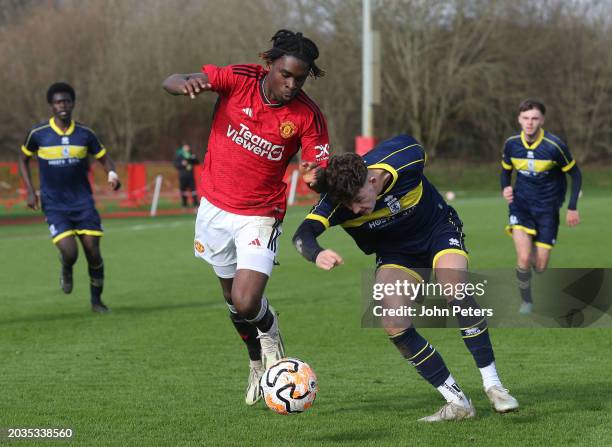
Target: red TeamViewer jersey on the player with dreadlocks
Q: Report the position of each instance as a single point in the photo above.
(252, 141)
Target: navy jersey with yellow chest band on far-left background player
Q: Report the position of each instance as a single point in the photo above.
(63, 163)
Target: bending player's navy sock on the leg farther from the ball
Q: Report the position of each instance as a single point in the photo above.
(475, 332)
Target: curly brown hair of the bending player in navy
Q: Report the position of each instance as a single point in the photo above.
(344, 177)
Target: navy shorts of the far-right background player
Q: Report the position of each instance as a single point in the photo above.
(542, 226)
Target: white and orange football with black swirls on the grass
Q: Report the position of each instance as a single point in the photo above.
(289, 386)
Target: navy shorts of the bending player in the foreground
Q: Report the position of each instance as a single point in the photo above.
(418, 255)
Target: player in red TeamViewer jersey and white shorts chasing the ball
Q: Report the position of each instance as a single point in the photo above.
(262, 119)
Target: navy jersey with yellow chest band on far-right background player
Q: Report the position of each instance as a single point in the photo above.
(541, 166)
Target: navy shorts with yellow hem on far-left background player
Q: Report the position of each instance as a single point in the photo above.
(68, 223)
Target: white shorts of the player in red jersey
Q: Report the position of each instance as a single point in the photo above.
(231, 242)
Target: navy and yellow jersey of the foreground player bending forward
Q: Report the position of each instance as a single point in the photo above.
(406, 210)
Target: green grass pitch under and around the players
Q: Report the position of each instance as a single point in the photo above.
(166, 368)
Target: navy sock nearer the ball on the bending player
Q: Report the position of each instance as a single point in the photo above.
(421, 355)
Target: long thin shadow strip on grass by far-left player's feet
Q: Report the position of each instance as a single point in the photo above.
(117, 311)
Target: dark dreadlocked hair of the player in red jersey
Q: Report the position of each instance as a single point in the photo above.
(288, 43)
